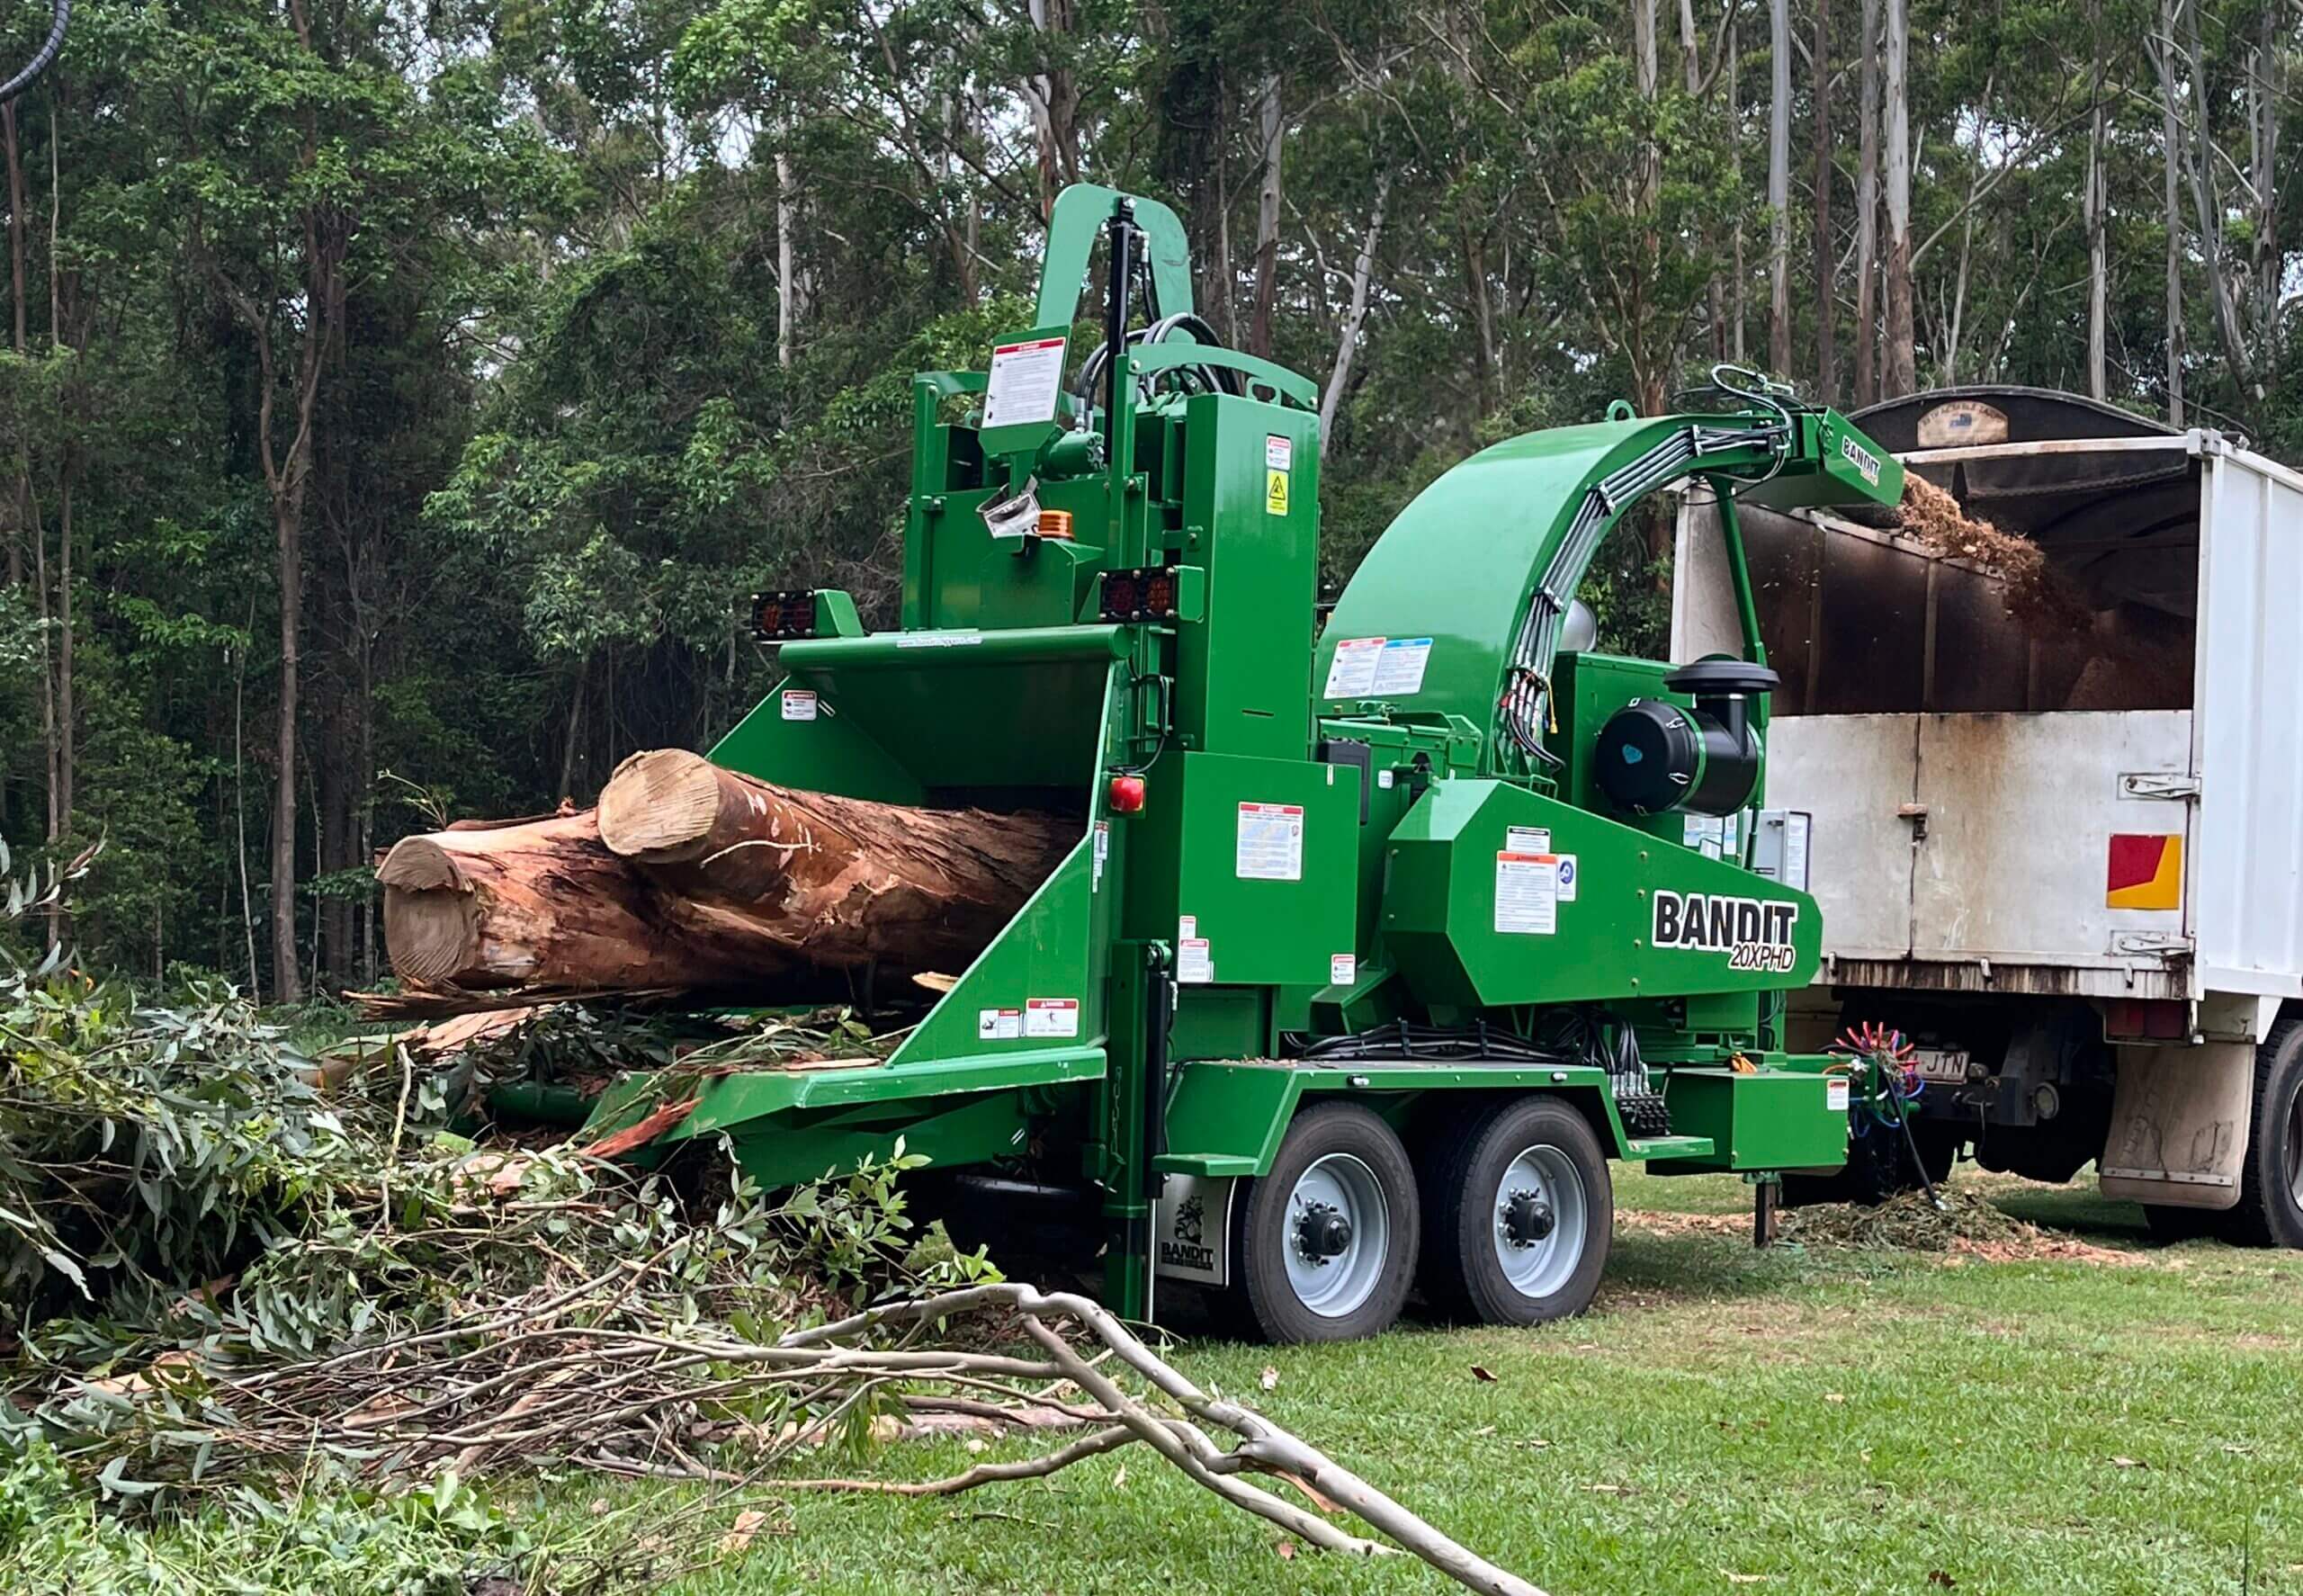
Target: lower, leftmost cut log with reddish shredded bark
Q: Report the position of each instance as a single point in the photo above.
(545, 904)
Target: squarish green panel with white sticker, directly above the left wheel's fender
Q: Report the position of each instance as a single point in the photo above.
(1185, 860)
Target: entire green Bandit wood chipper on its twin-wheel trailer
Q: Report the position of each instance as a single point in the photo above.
(1378, 945)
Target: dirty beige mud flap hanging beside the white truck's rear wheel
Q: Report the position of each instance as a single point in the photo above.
(2180, 1125)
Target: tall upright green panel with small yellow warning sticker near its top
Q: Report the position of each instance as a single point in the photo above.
(1245, 674)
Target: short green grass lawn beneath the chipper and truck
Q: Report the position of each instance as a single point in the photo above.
(1724, 1420)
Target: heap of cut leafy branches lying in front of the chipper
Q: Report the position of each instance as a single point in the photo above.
(254, 1268)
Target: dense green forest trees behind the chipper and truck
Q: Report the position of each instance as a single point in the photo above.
(489, 351)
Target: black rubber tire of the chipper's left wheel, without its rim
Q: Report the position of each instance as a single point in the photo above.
(1263, 1295)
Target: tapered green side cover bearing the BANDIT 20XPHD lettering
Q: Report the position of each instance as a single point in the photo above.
(1441, 913)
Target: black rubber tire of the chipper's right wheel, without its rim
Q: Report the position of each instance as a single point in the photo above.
(1461, 1173)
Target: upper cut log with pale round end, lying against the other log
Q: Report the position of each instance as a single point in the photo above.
(837, 881)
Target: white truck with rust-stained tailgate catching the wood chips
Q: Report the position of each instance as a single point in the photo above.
(2051, 803)
